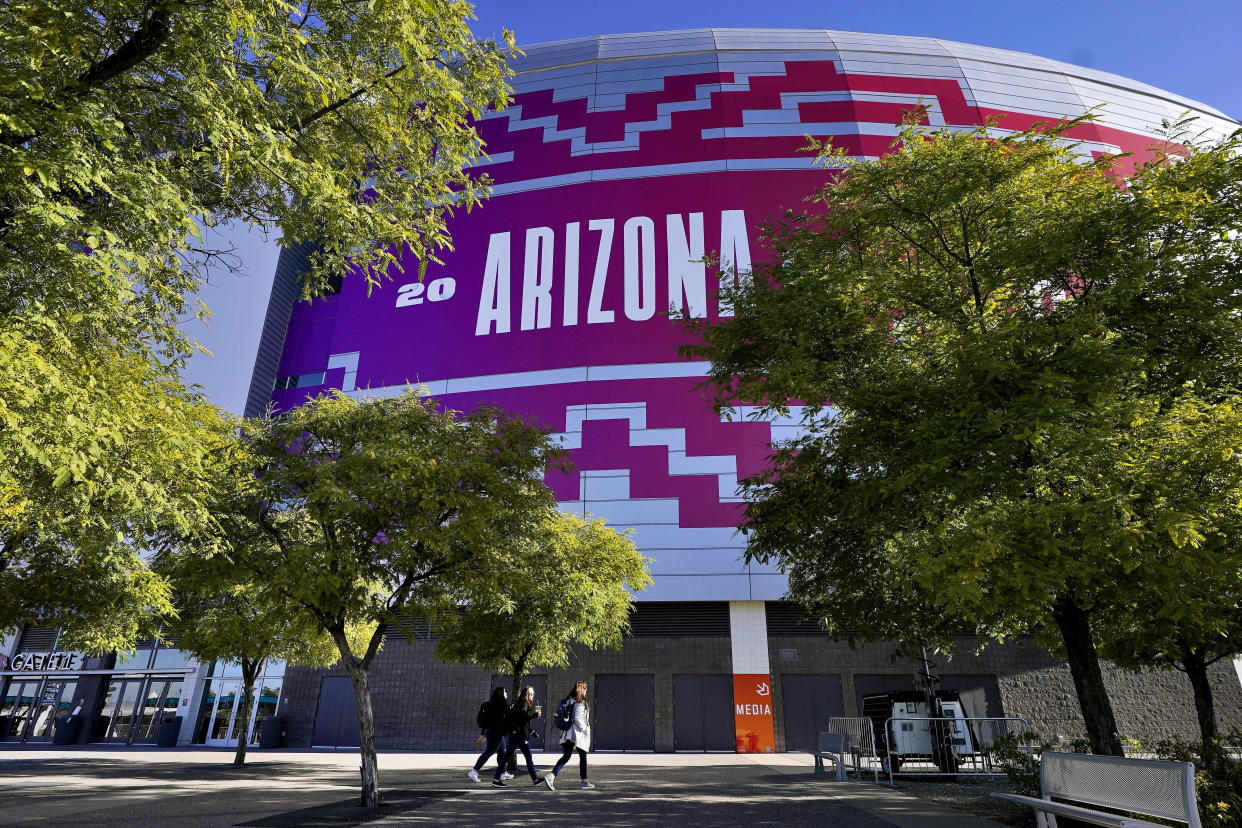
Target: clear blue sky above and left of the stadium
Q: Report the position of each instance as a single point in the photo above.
(1190, 48)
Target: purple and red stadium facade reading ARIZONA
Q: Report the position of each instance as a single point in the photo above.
(622, 163)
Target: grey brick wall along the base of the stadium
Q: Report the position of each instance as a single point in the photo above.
(424, 704)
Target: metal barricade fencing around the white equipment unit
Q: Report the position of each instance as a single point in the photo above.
(948, 747)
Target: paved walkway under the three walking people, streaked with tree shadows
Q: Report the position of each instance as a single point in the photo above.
(276, 789)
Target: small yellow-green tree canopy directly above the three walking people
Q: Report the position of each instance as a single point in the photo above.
(568, 584)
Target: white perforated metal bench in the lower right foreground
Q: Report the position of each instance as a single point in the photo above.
(1163, 790)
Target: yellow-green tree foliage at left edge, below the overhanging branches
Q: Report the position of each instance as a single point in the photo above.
(96, 460)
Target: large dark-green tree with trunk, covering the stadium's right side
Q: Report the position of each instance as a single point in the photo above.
(978, 328)
